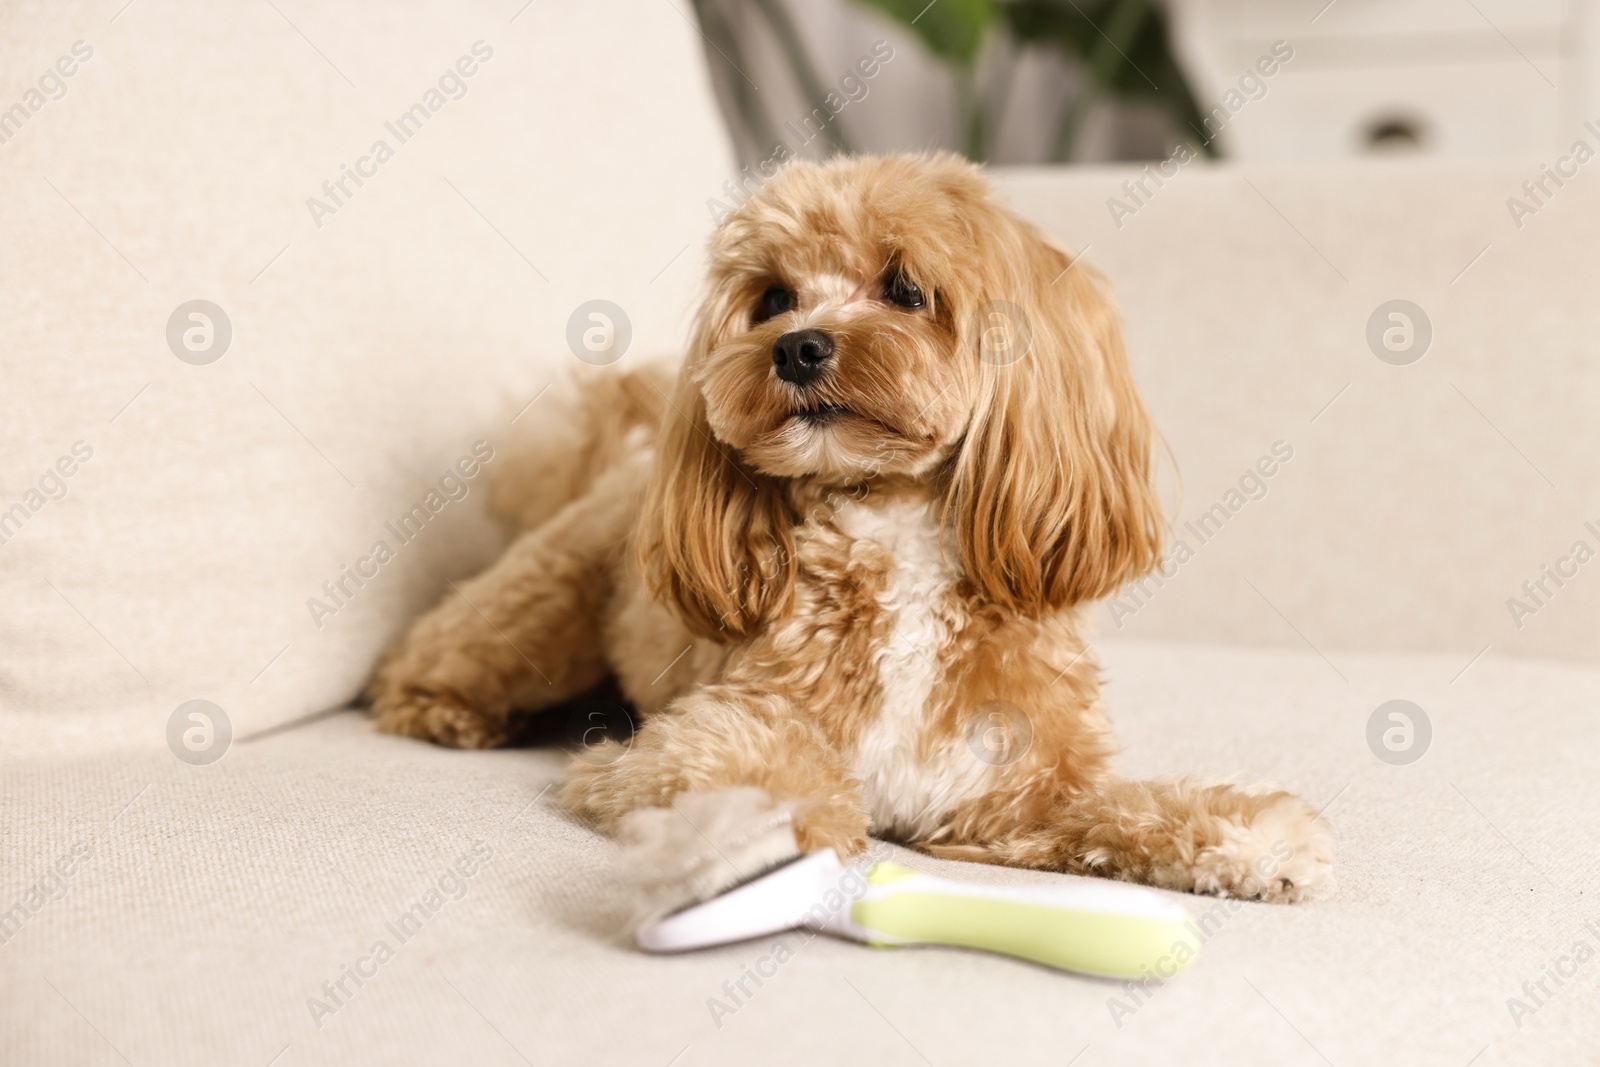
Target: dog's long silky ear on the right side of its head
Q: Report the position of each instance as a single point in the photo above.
(1052, 494)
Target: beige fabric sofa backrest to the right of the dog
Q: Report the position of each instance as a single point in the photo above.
(1418, 497)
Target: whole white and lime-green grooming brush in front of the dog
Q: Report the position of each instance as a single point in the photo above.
(1103, 929)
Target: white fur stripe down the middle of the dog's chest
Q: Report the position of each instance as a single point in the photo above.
(911, 770)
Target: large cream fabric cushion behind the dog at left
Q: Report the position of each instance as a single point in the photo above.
(378, 330)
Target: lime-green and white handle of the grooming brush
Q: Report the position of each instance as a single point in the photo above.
(1098, 929)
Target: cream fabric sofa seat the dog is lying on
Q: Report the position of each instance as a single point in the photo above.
(218, 900)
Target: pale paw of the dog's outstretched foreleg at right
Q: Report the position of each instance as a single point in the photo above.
(1274, 849)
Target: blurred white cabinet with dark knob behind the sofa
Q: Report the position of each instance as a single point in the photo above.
(1444, 78)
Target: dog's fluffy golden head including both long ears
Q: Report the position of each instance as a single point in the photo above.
(886, 319)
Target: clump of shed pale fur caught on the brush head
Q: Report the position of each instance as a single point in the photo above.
(703, 845)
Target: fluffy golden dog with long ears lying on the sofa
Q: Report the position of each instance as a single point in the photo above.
(839, 565)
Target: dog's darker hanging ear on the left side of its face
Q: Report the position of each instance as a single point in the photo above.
(716, 538)
